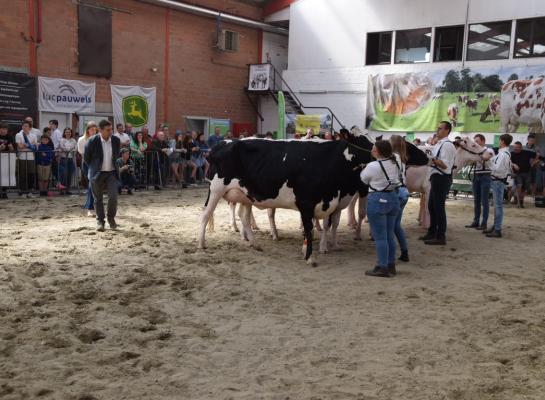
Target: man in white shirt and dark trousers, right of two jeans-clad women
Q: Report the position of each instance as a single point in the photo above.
(441, 164)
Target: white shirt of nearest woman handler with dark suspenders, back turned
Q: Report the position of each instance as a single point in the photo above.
(374, 176)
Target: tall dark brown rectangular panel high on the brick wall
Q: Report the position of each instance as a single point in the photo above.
(94, 41)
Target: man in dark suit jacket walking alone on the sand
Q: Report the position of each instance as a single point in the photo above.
(101, 153)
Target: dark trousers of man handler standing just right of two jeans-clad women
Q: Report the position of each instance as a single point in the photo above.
(440, 186)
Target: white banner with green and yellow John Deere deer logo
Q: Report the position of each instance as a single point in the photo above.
(134, 105)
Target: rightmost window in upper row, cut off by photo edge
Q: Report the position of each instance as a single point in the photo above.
(530, 34)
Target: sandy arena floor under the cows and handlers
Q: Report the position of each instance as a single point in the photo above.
(141, 314)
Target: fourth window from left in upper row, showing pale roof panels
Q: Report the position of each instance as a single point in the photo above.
(489, 41)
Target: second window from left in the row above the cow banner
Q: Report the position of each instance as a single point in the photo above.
(413, 46)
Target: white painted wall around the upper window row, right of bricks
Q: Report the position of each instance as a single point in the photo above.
(327, 43)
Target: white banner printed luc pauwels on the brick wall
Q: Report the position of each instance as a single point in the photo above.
(65, 95)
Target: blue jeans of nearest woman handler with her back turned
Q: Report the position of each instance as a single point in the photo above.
(382, 212)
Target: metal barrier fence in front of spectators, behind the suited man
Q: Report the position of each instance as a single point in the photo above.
(59, 172)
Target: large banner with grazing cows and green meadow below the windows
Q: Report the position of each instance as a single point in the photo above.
(475, 100)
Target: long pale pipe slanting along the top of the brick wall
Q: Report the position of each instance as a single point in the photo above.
(205, 12)
